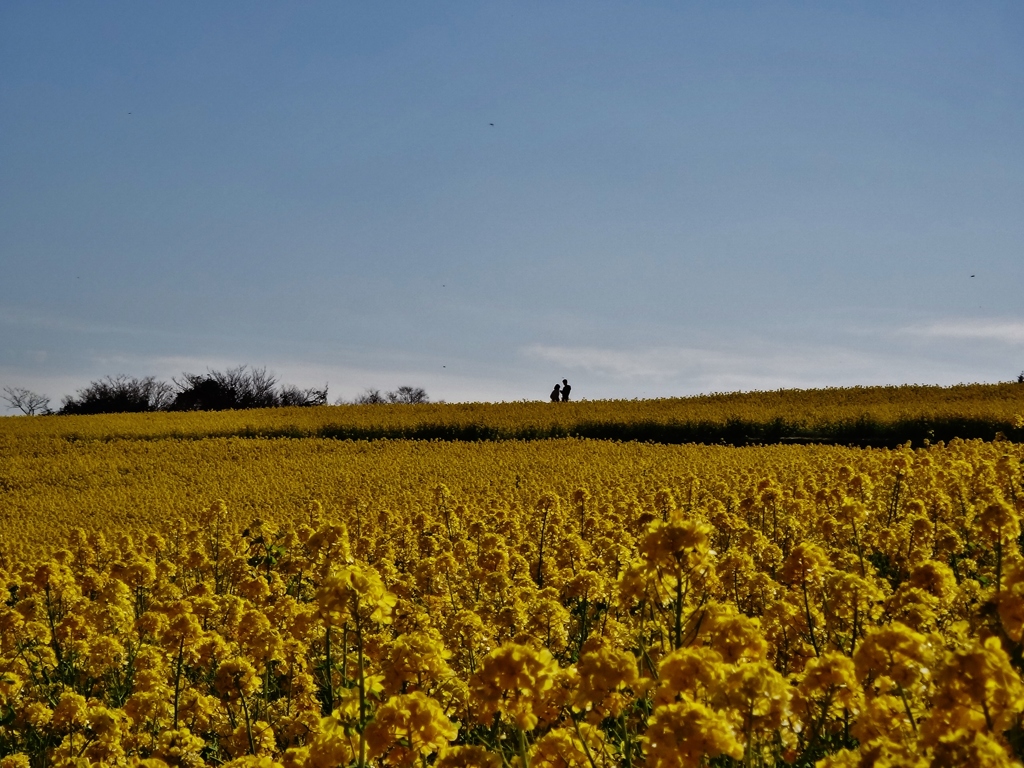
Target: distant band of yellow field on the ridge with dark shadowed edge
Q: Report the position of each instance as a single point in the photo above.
(860, 415)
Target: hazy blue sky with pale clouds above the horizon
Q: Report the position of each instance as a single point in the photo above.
(482, 199)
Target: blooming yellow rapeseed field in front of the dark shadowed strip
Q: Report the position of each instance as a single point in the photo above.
(559, 604)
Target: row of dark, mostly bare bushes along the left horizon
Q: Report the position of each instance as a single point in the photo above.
(234, 390)
